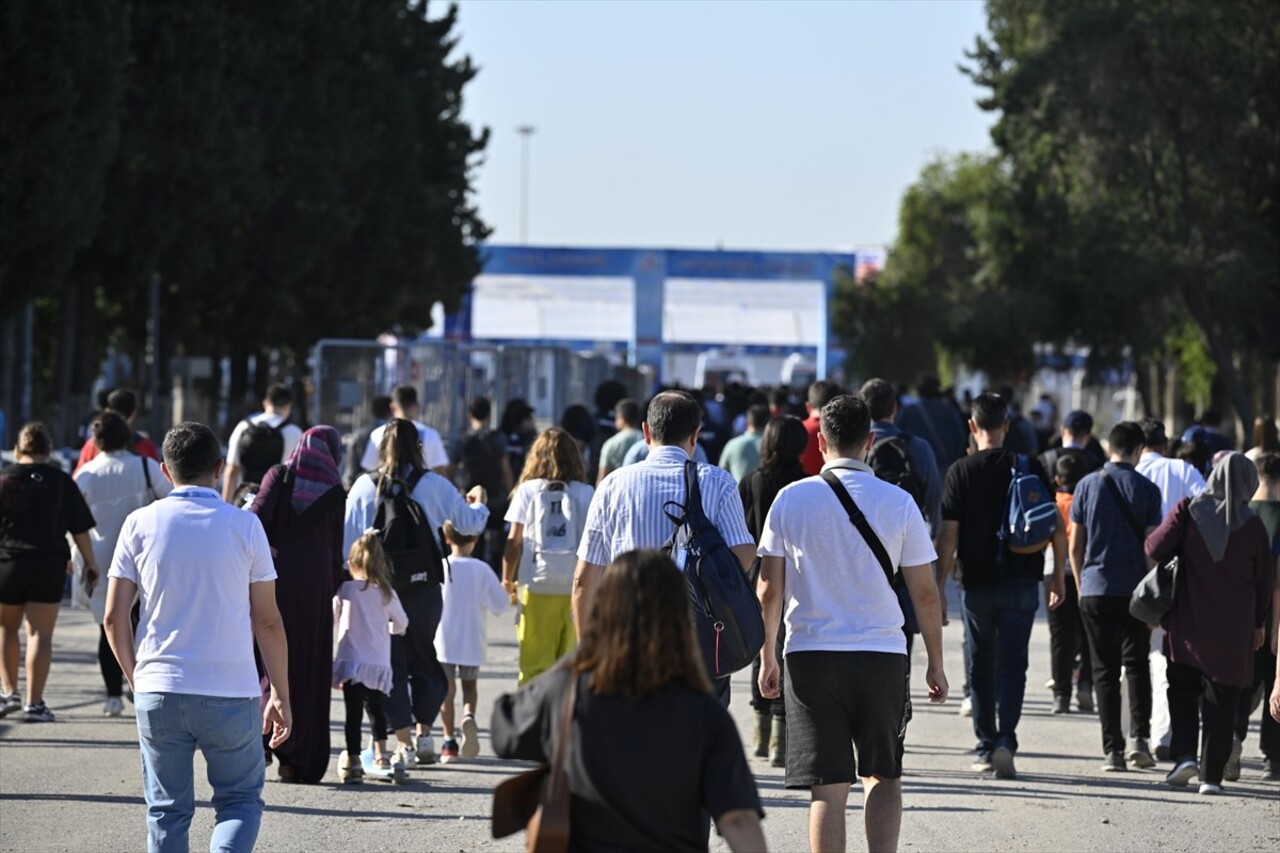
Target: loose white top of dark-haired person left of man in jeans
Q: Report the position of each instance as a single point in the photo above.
(115, 485)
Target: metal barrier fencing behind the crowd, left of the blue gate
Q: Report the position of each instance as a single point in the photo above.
(349, 375)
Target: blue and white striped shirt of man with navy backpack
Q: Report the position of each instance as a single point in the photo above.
(628, 510)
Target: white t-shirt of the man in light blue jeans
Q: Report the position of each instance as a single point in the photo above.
(194, 558)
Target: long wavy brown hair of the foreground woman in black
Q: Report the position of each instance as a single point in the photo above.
(639, 635)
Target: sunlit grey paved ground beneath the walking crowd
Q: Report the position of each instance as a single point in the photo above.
(75, 786)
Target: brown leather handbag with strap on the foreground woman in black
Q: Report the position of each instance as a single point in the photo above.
(538, 801)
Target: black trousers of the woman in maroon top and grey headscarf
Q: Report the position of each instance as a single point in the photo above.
(1192, 697)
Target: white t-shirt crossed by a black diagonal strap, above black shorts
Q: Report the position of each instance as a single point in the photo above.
(835, 592)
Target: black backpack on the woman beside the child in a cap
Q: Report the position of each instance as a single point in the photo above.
(408, 535)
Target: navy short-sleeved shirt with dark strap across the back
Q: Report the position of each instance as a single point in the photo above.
(1114, 560)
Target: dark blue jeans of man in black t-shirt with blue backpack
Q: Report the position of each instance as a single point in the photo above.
(998, 627)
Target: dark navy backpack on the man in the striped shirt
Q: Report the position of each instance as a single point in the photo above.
(726, 612)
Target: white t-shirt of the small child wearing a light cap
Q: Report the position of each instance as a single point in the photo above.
(470, 589)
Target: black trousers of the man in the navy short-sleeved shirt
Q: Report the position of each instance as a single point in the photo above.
(1116, 640)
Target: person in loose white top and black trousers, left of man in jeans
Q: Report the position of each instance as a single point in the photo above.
(115, 483)
